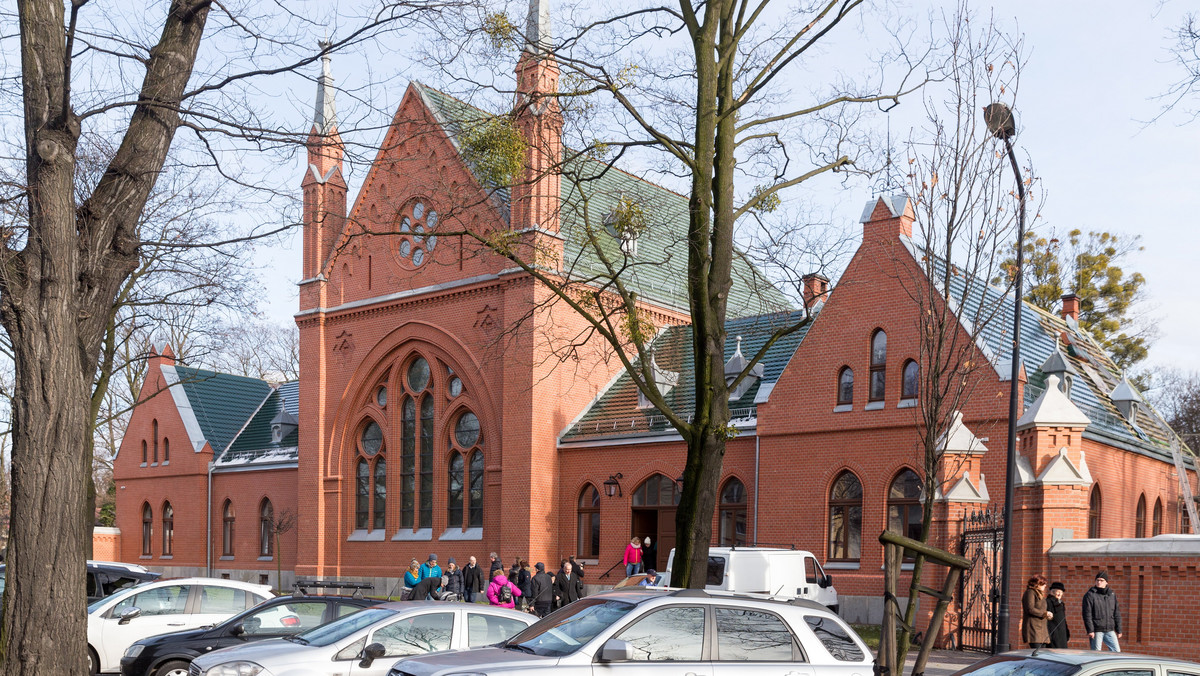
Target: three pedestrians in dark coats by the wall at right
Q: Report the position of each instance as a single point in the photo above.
(1045, 624)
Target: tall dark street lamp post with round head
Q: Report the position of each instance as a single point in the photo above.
(1003, 125)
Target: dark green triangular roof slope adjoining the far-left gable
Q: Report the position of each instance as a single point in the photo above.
(221, 403)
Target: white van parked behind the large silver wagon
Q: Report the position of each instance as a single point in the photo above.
(779, 573)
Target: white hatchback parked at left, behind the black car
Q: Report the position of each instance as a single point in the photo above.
(116, 623)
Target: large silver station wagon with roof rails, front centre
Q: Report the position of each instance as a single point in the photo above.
(663, 632)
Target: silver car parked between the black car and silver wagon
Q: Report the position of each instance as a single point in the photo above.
(369, 642)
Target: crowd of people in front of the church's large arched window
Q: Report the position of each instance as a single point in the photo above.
(525, 588)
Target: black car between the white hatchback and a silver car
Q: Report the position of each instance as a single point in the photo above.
(171, 655)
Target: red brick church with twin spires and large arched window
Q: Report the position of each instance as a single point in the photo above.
(434, 414)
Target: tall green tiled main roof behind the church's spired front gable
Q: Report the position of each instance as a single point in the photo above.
(590, 193)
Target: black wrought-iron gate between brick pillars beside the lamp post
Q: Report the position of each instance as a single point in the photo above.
(980, 588)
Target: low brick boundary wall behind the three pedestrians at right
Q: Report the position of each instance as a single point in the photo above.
(1157, 582)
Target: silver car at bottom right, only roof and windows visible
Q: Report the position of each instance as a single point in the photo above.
(1079, 663)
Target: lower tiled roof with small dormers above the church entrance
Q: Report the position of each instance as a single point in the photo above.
(617, 415)
